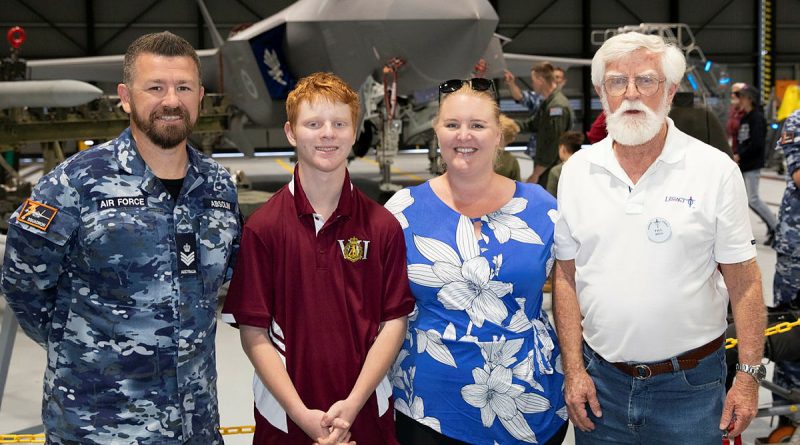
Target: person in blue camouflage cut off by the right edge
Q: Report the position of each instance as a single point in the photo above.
(786, 284)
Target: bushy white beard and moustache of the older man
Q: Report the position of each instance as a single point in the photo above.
(634, 130)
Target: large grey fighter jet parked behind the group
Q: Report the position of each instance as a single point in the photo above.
(422, 42)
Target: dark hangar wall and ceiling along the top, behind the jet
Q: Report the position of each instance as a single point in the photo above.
(725, 29)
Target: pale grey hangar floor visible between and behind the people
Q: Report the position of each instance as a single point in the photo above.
(20, 410)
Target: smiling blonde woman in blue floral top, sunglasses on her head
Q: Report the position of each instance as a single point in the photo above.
(480, 363)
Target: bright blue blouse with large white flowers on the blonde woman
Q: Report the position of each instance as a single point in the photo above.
(480, 362)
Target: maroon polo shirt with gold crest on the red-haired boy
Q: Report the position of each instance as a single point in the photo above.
(322, 296)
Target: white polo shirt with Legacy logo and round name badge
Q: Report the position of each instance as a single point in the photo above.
(646, 254)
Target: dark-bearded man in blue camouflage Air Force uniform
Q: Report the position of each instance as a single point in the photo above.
(114, 262)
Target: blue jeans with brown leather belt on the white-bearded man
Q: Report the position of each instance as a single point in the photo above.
(682, 407)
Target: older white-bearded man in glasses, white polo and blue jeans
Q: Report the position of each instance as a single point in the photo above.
(653, 242)
